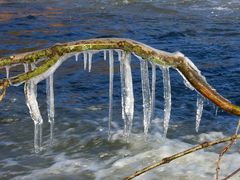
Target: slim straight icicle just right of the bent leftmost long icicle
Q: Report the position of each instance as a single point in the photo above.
(50, 104)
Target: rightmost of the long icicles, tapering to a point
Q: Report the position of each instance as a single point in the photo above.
(167, 98)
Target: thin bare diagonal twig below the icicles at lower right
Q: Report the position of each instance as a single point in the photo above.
(183, 153)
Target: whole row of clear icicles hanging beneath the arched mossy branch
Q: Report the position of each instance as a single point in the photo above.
(127, 94)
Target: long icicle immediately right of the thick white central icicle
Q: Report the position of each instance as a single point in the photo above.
(146, 95)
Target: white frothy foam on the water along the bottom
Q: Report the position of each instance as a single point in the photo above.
(198, 165)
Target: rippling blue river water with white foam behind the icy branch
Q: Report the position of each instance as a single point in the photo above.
(205, 31)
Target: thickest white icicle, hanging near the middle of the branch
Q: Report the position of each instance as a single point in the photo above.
(127, 93)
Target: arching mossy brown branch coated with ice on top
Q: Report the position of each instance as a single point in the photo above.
(175, 60)
